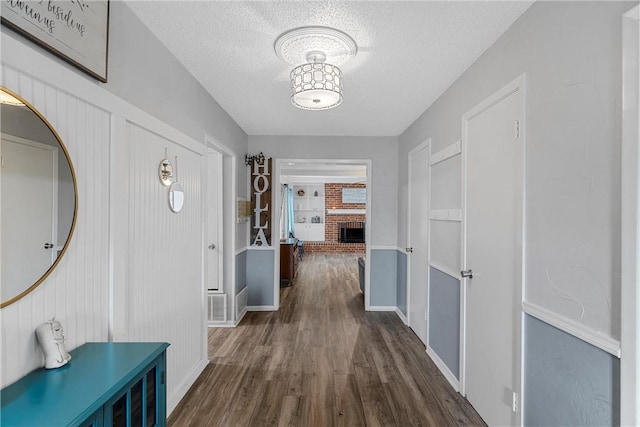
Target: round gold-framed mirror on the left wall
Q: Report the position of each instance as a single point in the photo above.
(38, 198)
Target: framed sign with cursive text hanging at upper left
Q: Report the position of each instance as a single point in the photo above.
(75, 30)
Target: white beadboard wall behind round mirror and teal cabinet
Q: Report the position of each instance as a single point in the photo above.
(134, 269)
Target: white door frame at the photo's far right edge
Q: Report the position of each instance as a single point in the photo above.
(630, 222)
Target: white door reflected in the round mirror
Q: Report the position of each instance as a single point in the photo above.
(28, 189)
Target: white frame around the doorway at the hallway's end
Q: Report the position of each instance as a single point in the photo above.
(275, 220)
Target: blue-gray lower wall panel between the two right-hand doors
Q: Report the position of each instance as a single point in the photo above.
(444, 318)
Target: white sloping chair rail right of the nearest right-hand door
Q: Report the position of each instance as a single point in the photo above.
(578, 330)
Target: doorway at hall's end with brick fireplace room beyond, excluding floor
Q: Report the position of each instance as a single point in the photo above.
(314, 200)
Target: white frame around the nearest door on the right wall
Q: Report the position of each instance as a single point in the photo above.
(518, 84)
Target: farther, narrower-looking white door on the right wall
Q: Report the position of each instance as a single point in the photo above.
(418, 240)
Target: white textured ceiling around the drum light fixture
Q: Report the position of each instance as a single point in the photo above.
(409, 53)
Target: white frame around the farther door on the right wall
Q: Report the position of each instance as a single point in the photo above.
(425, 145)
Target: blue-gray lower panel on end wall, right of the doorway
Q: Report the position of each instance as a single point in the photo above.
(383, 277)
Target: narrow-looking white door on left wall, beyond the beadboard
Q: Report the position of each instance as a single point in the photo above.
(214, 221)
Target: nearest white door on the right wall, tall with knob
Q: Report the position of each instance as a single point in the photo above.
(493, 251)
